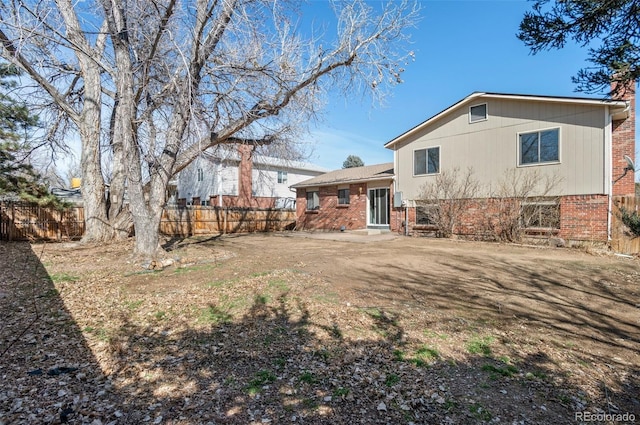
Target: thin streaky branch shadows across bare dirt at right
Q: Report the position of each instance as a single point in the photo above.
(590, 322)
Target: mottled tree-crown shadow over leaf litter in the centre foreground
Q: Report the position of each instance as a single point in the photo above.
(279, 364)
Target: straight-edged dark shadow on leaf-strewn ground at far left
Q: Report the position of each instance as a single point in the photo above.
(49, 374)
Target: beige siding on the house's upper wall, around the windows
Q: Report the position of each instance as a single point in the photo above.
(491, 147)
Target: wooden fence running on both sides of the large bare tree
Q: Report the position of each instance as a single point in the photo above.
(25, 221)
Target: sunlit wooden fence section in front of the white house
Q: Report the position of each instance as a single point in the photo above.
(203, 220)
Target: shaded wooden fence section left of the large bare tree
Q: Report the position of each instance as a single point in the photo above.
(26, 221)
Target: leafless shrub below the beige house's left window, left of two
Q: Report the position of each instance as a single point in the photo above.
(447, 196)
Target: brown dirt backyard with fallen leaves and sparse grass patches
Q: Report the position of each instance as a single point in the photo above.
(303, 329)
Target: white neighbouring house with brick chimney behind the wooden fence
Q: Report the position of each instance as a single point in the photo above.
(222, 179)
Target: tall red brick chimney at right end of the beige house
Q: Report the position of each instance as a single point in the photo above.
(624, 143)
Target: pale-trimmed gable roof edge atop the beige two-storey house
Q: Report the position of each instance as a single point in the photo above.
(619, 108)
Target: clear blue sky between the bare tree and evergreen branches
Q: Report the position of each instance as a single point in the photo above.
(461, 46)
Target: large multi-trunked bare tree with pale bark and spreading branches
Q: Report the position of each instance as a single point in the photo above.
(150, 84)
